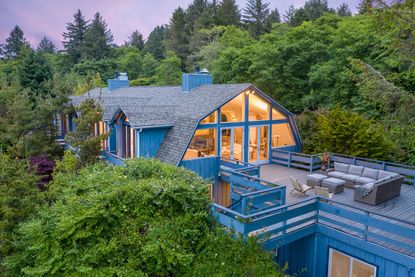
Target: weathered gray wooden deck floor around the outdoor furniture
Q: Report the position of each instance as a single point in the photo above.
(400, 208)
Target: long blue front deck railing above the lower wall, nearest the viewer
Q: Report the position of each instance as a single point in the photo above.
(281, 225)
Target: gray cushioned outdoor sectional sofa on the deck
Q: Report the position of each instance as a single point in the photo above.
(371, 186)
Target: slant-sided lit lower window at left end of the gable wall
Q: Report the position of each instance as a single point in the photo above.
(203, 144)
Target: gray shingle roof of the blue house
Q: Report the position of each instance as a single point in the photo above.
(165, 106)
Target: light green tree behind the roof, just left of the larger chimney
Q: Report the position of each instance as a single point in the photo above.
(169, 71)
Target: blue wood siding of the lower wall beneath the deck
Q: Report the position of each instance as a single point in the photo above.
(310, 256)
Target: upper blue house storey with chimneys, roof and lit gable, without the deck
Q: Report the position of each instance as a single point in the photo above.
(193, 124)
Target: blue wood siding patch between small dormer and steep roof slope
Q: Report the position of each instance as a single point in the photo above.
(150, 140)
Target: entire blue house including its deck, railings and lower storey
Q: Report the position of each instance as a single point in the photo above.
(247, 145)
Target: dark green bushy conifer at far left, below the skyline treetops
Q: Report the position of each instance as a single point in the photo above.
(34, 73)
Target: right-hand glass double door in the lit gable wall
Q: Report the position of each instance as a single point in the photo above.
(258, 144)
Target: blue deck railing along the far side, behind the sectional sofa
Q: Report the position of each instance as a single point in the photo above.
(313, 163)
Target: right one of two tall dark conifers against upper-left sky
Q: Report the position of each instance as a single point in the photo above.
(98, 39)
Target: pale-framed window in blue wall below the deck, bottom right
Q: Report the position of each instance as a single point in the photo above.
(342, 265)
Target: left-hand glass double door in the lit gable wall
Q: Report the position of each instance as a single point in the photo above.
(232, 143)
